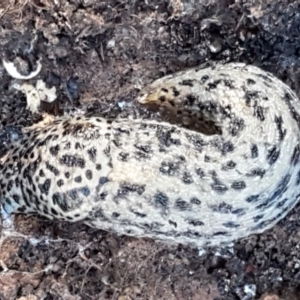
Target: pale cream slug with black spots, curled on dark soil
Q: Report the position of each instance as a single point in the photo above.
(146, 178)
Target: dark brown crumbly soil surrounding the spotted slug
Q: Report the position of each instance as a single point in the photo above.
(98, 54)
